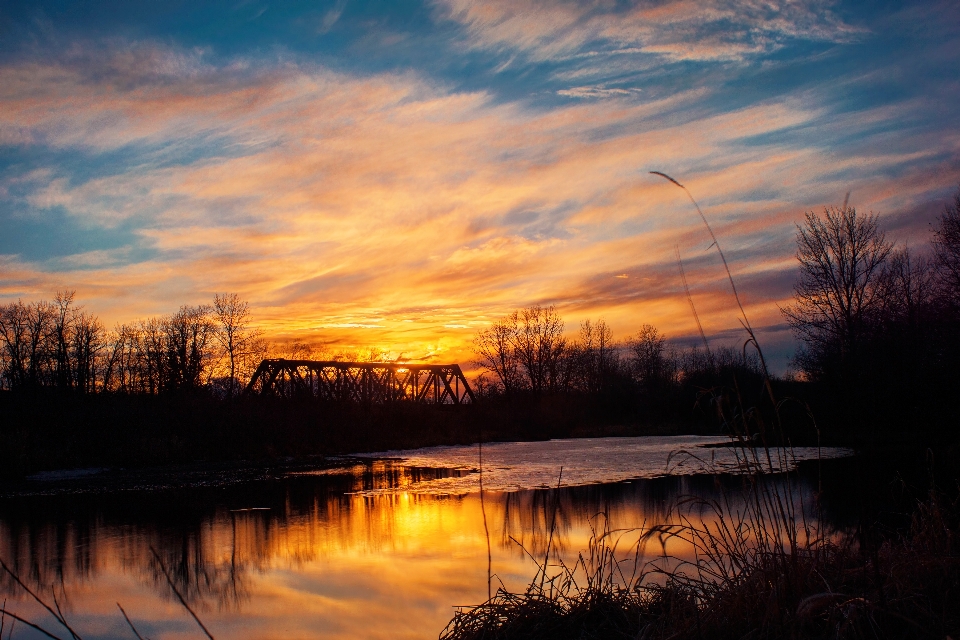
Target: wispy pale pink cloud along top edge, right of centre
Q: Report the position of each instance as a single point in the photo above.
(678, 30)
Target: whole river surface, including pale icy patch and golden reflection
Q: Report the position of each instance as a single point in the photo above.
(383, 546)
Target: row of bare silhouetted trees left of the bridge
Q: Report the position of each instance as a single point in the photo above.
(60, 345)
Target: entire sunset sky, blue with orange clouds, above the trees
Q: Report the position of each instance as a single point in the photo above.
(398, 175)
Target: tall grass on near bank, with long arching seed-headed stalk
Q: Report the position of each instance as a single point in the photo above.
(756, 566)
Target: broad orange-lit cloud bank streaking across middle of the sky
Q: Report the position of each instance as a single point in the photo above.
(385, 210)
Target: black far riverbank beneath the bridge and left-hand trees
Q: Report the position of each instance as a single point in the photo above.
(51, 431)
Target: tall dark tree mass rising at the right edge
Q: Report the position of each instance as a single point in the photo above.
(879, 323)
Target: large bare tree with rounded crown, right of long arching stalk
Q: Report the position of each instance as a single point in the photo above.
(842, 257)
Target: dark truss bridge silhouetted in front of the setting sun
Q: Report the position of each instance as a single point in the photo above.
(363, 382)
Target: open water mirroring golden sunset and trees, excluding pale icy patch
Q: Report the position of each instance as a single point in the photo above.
(318, 555)
